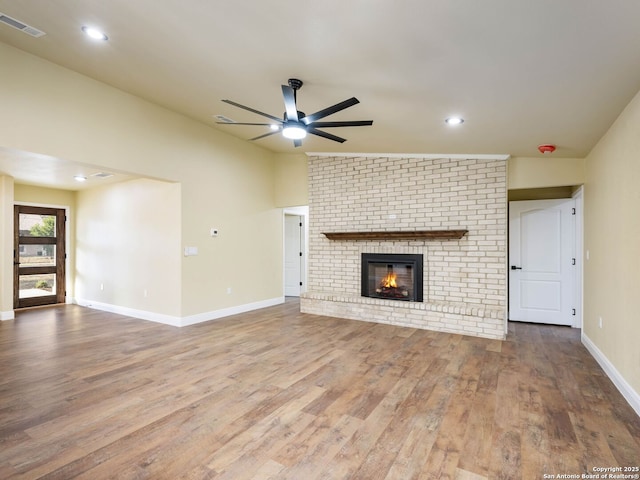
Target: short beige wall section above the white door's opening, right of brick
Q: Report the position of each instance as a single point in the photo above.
(545, 171)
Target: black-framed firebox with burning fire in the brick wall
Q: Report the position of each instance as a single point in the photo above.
(392, 276)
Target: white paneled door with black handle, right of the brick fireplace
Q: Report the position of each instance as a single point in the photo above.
(542, 262)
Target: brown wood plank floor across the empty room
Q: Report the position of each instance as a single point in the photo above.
(276, 394)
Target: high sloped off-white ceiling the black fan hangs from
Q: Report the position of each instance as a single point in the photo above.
(520, 72)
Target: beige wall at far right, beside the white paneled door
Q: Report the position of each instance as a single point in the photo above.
(612, 238)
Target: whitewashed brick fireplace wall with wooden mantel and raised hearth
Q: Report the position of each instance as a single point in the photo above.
(463, 276)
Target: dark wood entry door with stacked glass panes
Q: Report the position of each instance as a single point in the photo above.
(39, 256)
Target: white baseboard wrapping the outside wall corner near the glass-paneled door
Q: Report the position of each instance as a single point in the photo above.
(180, 321)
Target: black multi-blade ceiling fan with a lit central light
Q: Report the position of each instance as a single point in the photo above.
(295, 124)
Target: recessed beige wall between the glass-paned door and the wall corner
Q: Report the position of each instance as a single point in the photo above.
(128, 246)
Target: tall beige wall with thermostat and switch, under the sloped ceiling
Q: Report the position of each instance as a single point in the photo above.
(225, 182)
